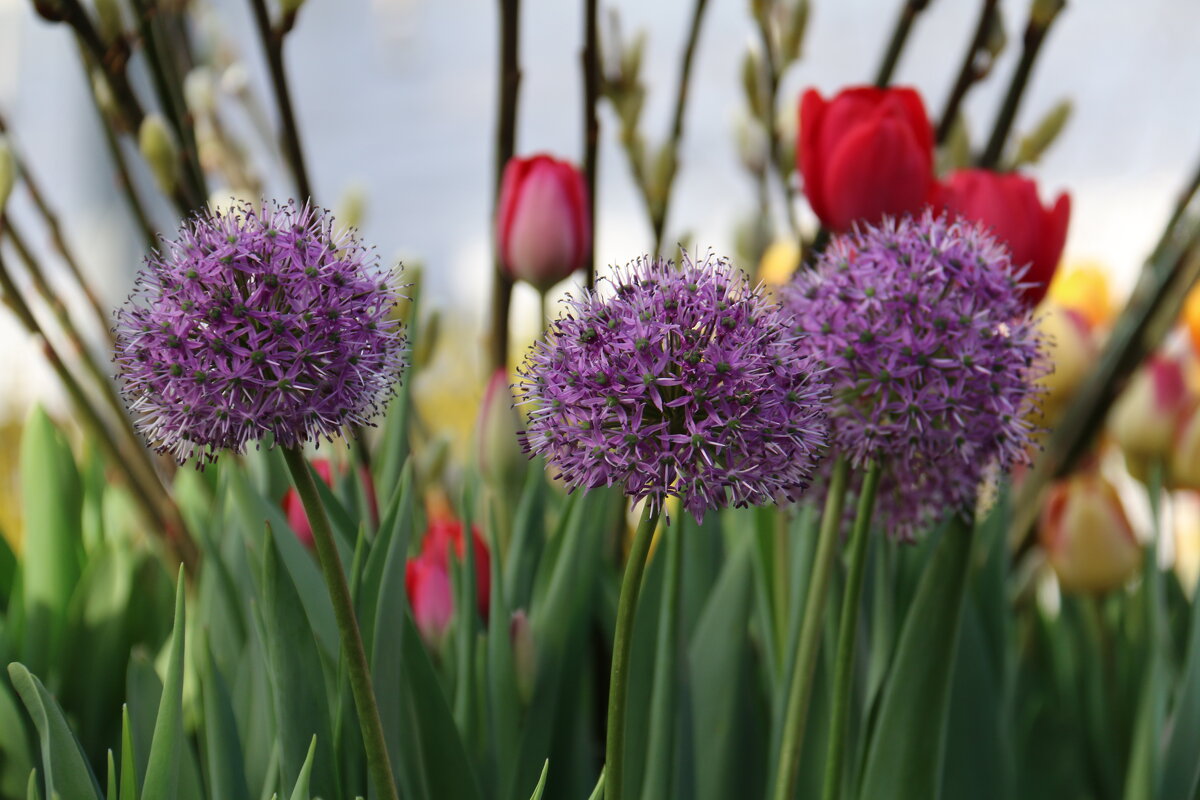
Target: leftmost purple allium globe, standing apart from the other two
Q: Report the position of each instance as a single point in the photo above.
(256, 322)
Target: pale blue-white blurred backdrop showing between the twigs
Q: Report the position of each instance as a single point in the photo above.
(397, 106)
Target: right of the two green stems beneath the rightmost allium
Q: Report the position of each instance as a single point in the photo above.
(848, 629)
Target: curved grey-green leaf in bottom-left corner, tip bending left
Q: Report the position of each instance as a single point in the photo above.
(67, 768)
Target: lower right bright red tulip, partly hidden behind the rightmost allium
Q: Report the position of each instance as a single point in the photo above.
(1009, 204)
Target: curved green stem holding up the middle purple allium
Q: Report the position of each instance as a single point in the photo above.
(619, 684)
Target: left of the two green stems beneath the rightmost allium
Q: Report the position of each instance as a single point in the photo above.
(811, 635)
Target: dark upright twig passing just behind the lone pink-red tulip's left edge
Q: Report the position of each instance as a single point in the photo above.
(506, 146)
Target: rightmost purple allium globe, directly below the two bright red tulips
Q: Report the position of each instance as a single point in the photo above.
(932, 357)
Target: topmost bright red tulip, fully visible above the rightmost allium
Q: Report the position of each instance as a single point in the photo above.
(866, 154)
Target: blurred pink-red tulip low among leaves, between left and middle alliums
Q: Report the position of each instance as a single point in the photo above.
(428, 578)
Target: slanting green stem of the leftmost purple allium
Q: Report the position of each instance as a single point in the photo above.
(347, 627)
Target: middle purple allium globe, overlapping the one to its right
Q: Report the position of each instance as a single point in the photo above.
(679, 383)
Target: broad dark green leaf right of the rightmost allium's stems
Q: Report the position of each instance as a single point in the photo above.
(904, 759)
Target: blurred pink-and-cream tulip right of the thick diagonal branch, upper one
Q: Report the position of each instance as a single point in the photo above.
(1147, 417)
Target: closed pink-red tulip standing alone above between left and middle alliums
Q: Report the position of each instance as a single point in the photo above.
(542, 224)
